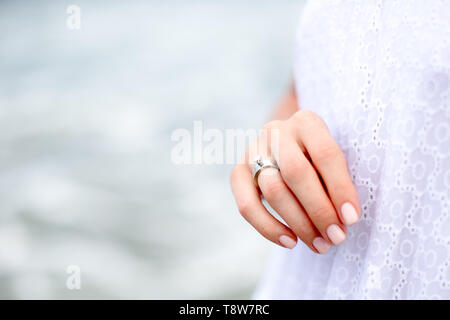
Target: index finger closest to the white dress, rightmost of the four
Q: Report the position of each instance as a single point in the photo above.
(329, 160)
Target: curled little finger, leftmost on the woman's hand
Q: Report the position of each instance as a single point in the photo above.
(250, 206)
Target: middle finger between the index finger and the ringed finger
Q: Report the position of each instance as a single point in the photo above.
(302, 179)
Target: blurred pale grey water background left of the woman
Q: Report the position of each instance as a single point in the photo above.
(86, 118)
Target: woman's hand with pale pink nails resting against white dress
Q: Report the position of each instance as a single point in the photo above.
(312, 191)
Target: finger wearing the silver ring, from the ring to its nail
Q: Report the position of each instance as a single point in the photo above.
(281, 199)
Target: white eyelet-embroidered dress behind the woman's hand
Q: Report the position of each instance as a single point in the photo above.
(378, 72)
